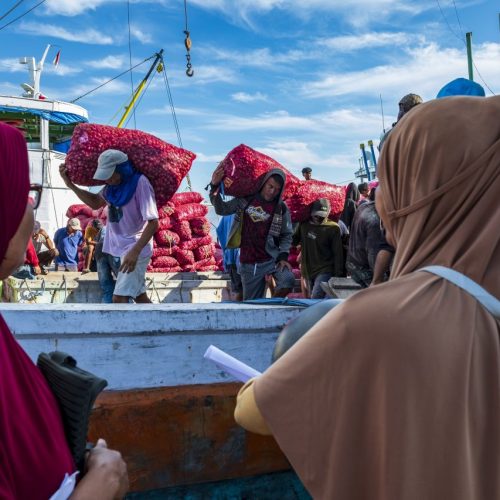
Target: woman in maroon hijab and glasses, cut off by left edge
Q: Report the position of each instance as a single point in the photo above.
(34, 455)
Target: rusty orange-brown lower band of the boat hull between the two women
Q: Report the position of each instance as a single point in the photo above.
(181, 435)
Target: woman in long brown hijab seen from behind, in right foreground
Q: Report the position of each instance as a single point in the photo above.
(408, 409)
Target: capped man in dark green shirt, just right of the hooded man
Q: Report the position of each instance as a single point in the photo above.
(321, 247)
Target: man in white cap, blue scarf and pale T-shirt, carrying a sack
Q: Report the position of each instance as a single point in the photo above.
(132, 220)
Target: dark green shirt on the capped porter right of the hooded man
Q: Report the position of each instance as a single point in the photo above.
(321, 247)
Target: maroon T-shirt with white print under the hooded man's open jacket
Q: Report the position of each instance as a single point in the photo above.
(257, 219)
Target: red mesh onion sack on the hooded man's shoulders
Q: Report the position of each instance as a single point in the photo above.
(245, 169)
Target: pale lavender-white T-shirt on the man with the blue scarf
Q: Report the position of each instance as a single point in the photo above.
(126, 224)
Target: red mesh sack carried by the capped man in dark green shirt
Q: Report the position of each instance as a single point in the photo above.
(308, 192)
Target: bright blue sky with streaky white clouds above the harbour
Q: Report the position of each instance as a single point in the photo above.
(298, 80)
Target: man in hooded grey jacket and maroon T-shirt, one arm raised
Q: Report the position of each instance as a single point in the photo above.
(262, 229)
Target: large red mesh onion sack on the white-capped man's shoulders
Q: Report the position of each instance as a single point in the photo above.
(163, 164)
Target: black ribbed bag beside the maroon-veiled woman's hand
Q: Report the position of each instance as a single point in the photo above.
(76, 391)
